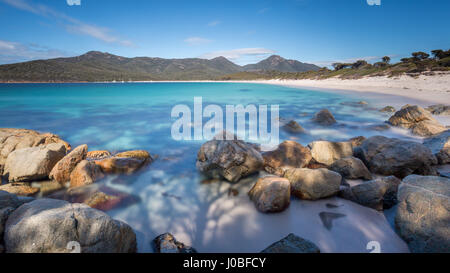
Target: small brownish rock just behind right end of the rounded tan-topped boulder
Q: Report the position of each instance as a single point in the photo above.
(351, 168)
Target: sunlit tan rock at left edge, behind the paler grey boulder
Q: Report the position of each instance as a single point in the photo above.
(15, 139)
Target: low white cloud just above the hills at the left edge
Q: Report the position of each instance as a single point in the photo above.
(13, 52)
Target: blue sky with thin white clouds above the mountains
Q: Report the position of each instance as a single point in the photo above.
(245, 31)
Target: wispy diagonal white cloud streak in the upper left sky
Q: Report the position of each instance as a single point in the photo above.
(74, 25)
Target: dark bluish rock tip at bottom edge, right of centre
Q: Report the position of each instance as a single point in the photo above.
(292, 244)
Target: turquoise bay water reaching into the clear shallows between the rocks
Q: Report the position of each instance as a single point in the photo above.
(126, 116)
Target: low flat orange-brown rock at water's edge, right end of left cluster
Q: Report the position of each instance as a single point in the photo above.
(120, 165)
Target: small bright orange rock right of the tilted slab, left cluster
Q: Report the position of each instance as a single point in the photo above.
(85, 173)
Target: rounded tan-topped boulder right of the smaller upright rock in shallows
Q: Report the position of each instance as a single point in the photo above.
(312, 184)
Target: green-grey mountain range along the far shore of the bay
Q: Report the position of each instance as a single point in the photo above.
(100, 66)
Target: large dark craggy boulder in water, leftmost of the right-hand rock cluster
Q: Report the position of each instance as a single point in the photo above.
(229, 159)
